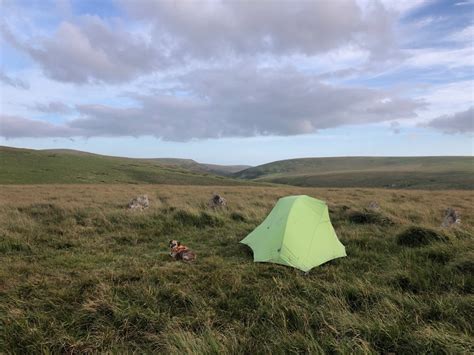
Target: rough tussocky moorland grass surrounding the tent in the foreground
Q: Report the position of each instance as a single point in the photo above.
(80, 273)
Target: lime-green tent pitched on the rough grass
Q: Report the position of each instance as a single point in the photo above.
(296, 233)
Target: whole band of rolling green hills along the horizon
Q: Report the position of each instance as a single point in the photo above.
(26, 166)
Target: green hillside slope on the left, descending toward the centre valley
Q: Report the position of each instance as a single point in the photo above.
(26, 166)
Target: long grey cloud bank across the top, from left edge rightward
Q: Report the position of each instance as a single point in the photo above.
(160, 35)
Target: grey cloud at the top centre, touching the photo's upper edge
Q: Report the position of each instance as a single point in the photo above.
(207, 28)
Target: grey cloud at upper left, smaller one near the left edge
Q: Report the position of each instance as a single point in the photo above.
(90, 50)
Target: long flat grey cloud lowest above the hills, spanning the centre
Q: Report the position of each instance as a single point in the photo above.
(245, 103)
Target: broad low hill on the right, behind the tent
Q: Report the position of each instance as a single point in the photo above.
(381, 172)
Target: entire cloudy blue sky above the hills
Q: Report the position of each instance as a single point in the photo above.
(238, 82)
